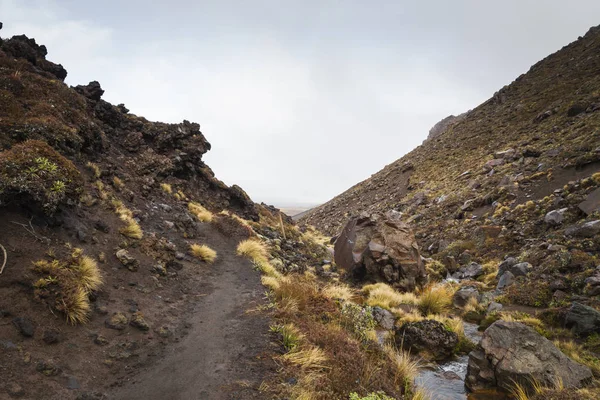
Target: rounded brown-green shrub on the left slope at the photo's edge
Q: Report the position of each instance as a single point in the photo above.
(33, 173)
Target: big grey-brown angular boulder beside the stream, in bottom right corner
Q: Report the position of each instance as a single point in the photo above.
(512, 352)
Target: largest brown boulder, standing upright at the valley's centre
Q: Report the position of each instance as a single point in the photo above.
(380, 247)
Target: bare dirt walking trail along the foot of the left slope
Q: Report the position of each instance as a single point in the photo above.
(225, 354)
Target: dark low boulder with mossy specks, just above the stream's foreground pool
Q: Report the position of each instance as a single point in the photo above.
(427, 336)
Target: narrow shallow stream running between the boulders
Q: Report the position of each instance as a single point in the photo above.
(446, 381)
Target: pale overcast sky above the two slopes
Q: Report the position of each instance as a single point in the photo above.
(299, 99)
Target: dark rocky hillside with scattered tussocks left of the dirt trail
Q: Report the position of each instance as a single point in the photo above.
(109, 227)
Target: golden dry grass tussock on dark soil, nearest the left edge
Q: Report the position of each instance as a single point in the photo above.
(66, 285)
